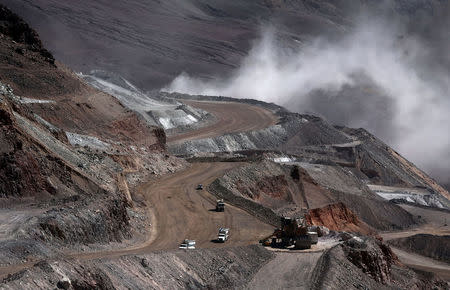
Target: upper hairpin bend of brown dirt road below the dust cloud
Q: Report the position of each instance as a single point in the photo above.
(231, 118)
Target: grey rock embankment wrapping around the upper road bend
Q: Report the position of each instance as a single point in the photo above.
(304, 130)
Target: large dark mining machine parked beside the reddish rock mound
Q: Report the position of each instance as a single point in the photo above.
(293, 233)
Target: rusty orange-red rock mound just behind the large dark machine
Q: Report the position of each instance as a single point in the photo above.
(338, 217)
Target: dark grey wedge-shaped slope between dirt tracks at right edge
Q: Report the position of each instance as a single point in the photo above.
(436, 247)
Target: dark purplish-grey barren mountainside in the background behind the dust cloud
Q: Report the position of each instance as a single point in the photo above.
(151, 42)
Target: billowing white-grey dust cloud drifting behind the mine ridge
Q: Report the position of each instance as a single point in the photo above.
(379, 75)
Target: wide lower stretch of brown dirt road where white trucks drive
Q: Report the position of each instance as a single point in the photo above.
(180, 211)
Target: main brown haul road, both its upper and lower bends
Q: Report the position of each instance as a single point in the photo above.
(178, 210)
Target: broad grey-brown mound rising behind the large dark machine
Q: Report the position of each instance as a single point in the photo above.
(269, 188)
